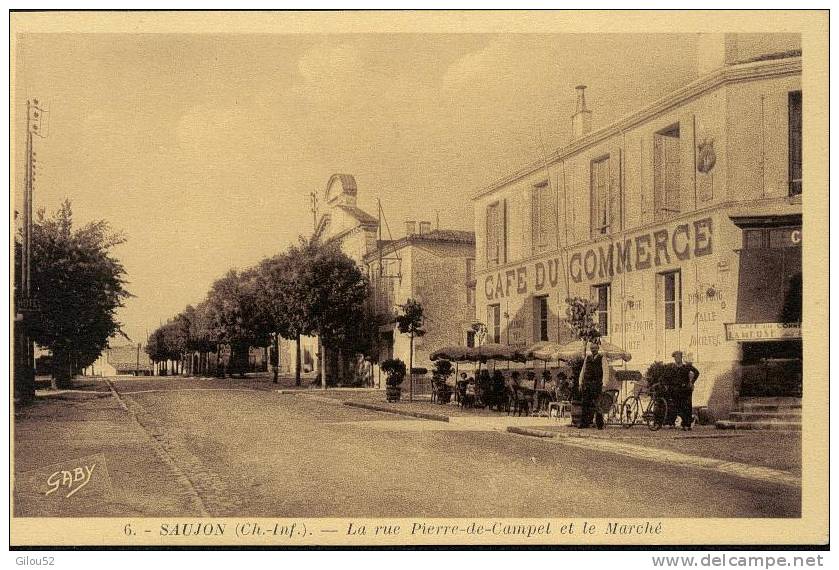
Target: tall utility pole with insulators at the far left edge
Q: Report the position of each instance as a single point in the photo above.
(25, 309)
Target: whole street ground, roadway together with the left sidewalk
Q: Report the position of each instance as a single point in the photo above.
(191, 447)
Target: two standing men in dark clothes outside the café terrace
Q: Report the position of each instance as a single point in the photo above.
(680, 396)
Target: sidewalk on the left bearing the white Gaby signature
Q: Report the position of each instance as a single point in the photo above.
(86, 429)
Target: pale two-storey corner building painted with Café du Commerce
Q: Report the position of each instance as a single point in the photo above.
(682, 221)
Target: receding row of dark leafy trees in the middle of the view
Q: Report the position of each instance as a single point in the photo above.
(311, 288)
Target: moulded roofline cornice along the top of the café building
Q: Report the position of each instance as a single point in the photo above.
(721, 77)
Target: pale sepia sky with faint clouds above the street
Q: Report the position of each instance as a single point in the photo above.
(203, 148)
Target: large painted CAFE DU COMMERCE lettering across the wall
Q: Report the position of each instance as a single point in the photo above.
(603, 260)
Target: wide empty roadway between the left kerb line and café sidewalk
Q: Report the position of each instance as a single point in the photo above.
(259, 453)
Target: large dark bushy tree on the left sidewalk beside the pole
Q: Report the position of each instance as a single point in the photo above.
(78, 285)
